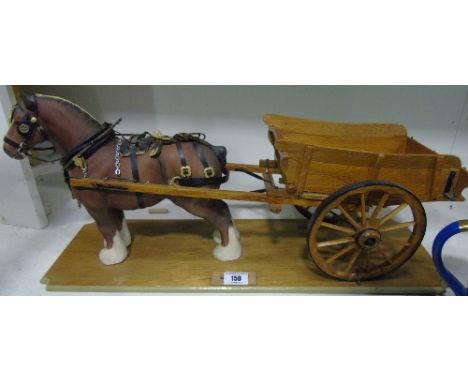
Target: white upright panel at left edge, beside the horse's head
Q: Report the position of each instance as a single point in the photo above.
(20, 203)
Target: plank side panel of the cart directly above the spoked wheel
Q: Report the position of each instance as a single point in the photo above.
(329, 169)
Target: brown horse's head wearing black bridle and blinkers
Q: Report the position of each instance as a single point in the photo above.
(25, 130)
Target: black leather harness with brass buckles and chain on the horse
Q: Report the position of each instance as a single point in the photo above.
(130, 145)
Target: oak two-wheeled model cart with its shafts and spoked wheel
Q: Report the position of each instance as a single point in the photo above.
(365, 182)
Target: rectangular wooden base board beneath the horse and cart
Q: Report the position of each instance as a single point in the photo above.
(176, 256)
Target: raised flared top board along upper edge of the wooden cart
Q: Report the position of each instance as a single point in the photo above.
(387, 138)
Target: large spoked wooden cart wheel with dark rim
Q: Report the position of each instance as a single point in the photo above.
(378, 227)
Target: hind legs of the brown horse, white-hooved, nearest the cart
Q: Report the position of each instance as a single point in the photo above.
(217, 213)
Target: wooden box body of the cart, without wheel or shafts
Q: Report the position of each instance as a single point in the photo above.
(322, 157)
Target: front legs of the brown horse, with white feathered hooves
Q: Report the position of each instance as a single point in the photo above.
(112, 226)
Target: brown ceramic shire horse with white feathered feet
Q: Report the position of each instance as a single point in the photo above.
(71, 130)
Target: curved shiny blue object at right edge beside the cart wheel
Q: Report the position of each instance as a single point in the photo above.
(439, 242)
